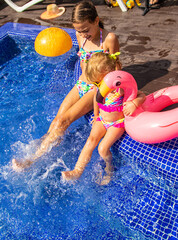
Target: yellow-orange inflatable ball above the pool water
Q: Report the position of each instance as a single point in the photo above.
(52, 42)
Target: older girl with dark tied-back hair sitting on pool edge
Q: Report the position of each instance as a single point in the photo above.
(92, 37)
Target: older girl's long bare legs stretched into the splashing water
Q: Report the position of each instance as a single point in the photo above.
(70, 110)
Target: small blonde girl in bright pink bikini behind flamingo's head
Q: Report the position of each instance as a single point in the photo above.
(108, 118)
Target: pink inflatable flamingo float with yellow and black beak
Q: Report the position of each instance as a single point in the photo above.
(147, 124)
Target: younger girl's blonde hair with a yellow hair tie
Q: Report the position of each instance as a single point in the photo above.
(99, 65)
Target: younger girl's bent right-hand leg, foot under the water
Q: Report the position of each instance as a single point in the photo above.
(112, 135)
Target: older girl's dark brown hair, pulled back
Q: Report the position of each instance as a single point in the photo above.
(85, 11)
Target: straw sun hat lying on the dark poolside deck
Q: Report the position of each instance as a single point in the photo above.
(52, 12)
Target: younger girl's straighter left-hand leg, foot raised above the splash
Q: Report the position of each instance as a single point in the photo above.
(97, 132)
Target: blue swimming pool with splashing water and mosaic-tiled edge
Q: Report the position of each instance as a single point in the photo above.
(140, 203)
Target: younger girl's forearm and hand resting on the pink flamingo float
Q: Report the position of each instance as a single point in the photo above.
(131, 106)
